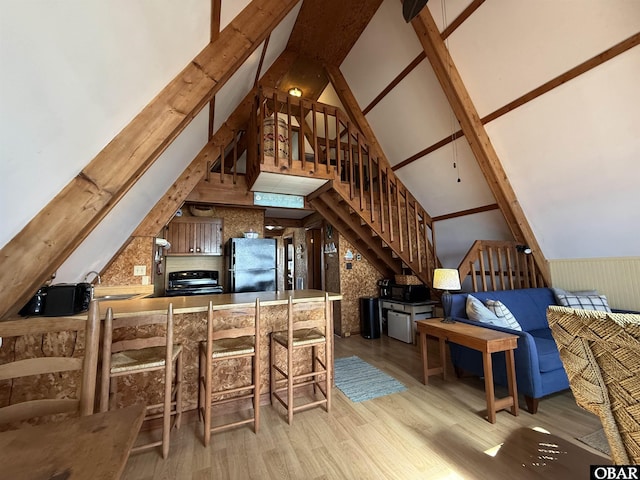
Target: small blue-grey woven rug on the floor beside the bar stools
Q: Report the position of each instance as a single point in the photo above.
(360, 381)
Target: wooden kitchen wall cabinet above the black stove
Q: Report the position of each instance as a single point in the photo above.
(195, 236)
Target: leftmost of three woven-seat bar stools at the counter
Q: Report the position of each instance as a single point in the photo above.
(156, 352)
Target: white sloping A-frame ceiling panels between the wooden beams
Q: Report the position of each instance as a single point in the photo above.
(74, 74)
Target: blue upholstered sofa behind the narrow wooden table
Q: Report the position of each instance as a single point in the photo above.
(539, 370)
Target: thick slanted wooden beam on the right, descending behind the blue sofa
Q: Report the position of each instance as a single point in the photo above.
(474, 131)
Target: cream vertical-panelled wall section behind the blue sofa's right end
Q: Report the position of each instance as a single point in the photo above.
(618, 278)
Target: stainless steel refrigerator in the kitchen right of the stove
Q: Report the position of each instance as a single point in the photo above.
(251, 264)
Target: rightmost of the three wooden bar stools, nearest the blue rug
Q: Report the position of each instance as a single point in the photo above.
(312, 333)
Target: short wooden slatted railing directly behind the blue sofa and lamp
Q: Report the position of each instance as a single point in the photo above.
(500, 265)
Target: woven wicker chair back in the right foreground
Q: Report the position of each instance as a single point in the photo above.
(601, 354)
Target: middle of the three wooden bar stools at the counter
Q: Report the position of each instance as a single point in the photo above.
(235, 335)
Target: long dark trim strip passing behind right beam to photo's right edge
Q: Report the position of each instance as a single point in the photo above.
(576, 71)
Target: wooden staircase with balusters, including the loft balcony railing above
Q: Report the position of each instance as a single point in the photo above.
(362, 198)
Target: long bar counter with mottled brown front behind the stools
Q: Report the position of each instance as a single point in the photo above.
(190, 319)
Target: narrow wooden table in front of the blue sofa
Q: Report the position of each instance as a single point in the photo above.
(478, 338)
